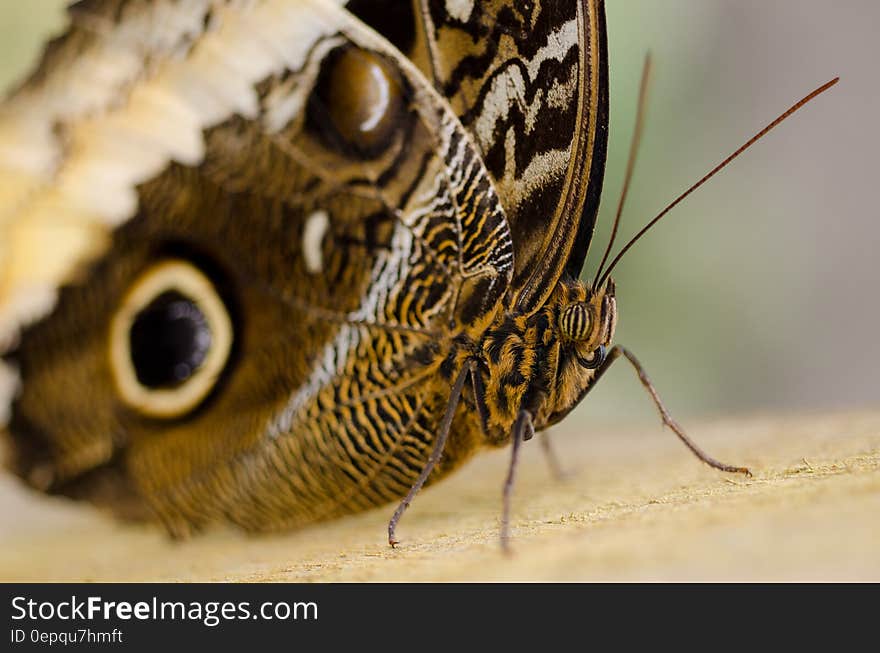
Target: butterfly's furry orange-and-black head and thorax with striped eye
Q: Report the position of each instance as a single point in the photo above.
(546, 361)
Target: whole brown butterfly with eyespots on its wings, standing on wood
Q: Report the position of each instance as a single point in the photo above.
(276, 261)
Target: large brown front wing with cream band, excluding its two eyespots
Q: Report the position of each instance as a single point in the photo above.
(341, 268)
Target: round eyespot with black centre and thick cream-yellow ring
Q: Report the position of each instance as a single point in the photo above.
(169, 340)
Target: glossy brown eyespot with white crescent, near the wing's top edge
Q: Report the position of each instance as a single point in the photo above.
(357, 101)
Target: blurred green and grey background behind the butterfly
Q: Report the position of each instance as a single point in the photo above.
(760, 293)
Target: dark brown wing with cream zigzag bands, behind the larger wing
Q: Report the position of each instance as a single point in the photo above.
(529, 81)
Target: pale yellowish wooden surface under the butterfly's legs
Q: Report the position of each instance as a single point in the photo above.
(637, 507)
